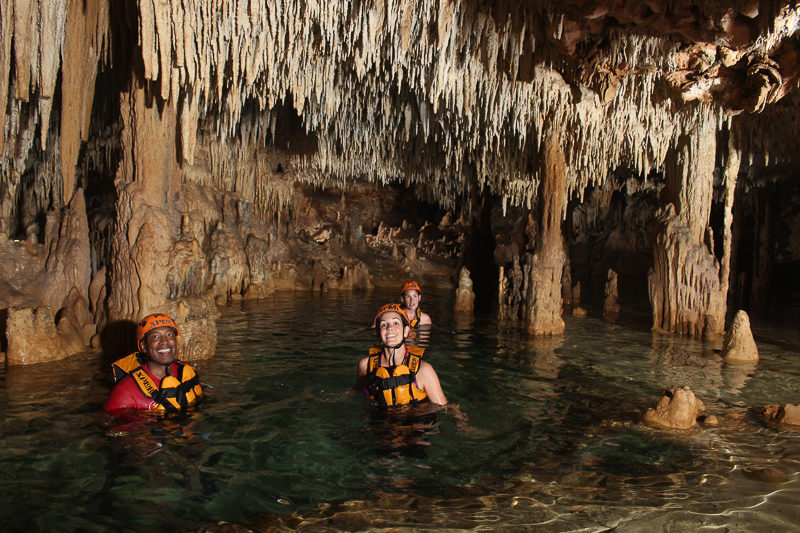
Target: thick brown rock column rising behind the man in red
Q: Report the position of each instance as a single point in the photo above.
(148, 228)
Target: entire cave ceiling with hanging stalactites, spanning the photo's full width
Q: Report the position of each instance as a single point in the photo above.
(454, 96)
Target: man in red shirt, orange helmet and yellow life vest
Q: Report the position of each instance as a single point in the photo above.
(153, 378)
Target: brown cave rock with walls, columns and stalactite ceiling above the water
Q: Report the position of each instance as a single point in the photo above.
(219, 150)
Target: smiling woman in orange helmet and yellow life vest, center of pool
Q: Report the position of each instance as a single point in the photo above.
(394, 373)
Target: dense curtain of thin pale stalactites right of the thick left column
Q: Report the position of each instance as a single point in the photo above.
(484, 121)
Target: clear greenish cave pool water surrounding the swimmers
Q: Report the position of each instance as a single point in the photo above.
(546, 436)
